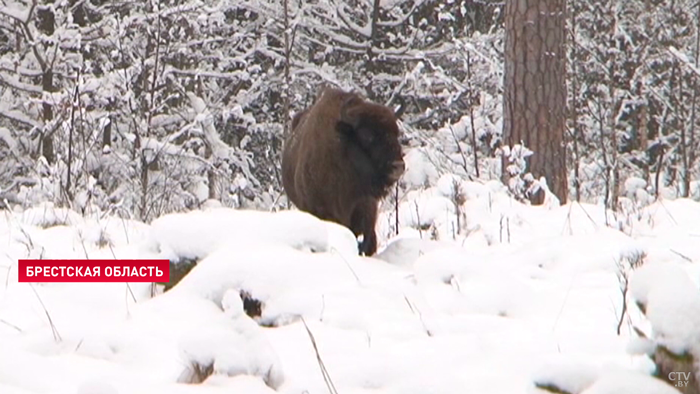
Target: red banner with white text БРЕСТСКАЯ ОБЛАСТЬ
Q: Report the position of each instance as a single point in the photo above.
(94, 270)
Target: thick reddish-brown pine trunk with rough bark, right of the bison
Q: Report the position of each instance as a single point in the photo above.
(535, 87)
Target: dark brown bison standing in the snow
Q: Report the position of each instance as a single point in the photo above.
(341, 157)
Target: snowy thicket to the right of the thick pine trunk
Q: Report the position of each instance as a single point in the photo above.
(633, 95)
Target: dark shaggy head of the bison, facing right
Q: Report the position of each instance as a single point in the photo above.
(372, 141)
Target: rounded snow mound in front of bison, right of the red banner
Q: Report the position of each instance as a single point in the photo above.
(298, 284)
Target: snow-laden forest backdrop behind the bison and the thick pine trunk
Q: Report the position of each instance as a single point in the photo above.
(144, 108)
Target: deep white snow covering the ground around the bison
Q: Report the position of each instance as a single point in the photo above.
(519, 295)
